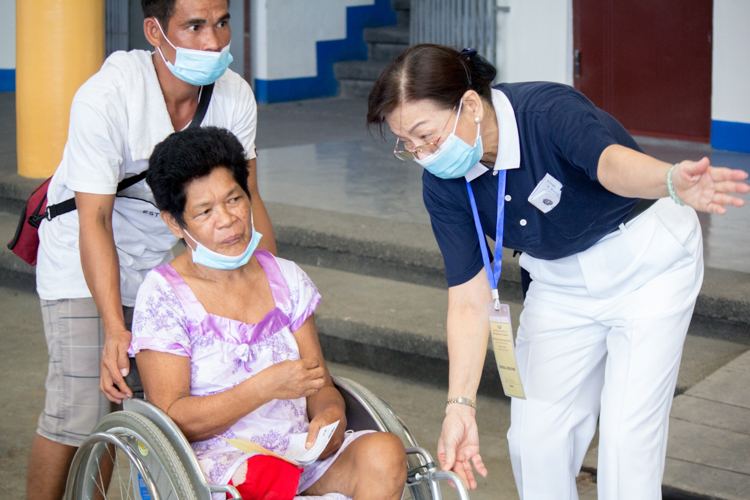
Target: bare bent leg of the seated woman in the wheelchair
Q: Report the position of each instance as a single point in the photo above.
(371, 468)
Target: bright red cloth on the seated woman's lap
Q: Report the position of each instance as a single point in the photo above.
(269, 478)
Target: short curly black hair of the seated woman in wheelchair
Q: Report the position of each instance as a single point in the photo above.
(188, 155)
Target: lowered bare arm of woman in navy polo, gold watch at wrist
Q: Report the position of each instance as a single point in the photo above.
(468, 331)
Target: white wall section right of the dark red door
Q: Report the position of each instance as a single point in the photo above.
(731, 61)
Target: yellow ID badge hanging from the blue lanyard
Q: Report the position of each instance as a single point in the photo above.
(505, 355)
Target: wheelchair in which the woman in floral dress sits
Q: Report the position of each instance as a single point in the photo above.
(148, 457)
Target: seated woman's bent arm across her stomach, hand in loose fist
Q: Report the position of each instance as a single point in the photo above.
(166, 383)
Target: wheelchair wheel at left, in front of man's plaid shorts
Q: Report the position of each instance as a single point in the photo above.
(146, 466)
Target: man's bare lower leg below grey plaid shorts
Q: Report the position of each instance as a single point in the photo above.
(48, 469)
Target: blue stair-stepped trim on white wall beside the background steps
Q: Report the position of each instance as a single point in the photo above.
(351, 48)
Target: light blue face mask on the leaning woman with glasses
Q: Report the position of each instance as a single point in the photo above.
(454, 157)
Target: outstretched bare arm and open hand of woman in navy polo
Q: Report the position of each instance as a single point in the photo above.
(630, 173)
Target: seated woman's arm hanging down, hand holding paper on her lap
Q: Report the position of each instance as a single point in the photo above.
(326, 406)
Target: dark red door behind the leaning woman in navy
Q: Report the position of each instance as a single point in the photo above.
(647, 63)
